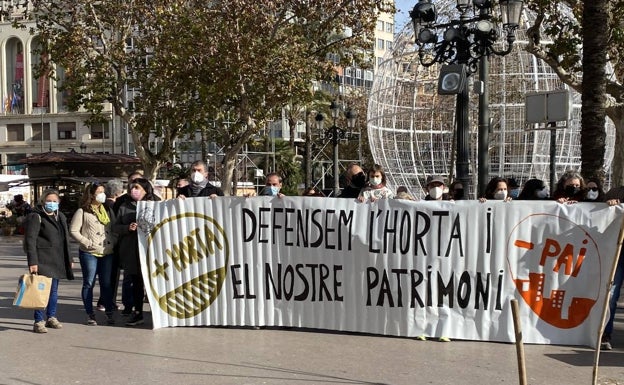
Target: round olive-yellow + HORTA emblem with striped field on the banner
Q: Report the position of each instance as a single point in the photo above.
(187, 259)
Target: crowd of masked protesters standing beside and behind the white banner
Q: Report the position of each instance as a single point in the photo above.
(105, 228)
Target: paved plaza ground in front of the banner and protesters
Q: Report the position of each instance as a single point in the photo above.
(93, 355)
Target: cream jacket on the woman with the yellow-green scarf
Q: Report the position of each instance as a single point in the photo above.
(91, 234)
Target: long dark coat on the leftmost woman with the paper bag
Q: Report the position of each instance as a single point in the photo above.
(46, 244)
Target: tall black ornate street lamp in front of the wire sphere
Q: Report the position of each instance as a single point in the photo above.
(466, 44)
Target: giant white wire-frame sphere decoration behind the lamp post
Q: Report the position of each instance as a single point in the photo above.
(411, 128)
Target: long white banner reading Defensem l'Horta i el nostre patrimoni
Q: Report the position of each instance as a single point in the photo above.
(391, 267)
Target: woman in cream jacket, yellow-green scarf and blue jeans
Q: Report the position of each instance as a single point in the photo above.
(91, 227)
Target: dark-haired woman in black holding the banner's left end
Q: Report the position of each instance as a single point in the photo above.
(126, 227)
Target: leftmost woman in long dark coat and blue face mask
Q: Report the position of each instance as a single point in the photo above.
(46, 245)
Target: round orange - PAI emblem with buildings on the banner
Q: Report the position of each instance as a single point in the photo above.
(558, 268)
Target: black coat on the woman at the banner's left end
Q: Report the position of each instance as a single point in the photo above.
(128, 245)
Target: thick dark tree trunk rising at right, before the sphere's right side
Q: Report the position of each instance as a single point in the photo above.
(593, 134)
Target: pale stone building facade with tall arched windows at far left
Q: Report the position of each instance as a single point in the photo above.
(34, 117)
